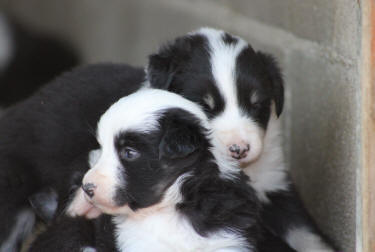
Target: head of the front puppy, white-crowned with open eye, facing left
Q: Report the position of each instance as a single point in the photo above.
(148, 140)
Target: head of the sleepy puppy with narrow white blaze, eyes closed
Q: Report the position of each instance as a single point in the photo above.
(238, 87)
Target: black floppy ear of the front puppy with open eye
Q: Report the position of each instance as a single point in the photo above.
(180, 144)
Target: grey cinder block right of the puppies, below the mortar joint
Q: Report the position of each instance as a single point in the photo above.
(325, 141)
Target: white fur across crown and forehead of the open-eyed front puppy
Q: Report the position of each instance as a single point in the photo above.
(140, 112)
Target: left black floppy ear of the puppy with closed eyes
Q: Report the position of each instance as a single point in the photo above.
(163, 65)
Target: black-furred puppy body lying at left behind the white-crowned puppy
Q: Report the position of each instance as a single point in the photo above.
(45, 141)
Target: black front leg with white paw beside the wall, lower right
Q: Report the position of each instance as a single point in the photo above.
(285, 216)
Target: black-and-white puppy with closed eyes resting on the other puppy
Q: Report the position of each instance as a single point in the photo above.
(241, 91)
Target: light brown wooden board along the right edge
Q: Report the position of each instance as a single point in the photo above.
(368, 125)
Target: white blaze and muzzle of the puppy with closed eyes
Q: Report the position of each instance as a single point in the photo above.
(232, 126)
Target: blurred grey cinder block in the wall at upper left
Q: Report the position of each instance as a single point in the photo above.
(115, 31)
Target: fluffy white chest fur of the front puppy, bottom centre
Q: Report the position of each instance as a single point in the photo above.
(167, 231)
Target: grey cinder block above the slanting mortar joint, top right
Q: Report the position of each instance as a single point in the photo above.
(312, 20)
